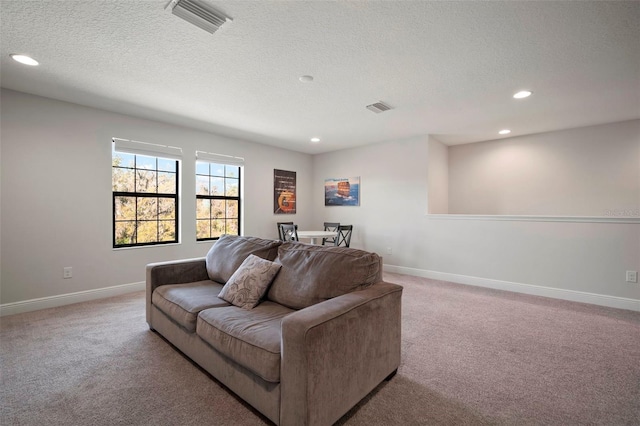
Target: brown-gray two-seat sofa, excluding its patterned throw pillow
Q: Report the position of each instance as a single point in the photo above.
(324, 335)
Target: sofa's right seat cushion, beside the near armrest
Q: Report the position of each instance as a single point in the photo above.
(250, 338)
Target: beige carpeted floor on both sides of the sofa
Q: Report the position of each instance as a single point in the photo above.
(470, 356)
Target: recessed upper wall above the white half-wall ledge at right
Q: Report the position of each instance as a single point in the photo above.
(589, 171)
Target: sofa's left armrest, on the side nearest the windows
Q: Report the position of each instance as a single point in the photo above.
(173, 272)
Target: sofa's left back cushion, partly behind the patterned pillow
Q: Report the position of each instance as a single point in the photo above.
(228, 253)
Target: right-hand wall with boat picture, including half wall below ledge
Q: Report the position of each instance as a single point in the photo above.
(575, 261)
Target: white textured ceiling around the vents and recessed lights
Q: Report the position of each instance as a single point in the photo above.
(447, 68)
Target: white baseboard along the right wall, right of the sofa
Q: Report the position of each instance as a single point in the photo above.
(556, 293)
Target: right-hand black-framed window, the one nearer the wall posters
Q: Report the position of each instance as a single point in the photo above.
(217, 200)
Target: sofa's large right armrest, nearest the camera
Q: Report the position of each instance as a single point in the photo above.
(335, 352)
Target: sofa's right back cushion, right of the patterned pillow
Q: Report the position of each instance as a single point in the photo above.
(312, 273)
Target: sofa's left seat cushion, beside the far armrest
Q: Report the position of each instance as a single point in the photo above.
(183, 302)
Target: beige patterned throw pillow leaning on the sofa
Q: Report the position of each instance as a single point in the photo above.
(249, 282)
